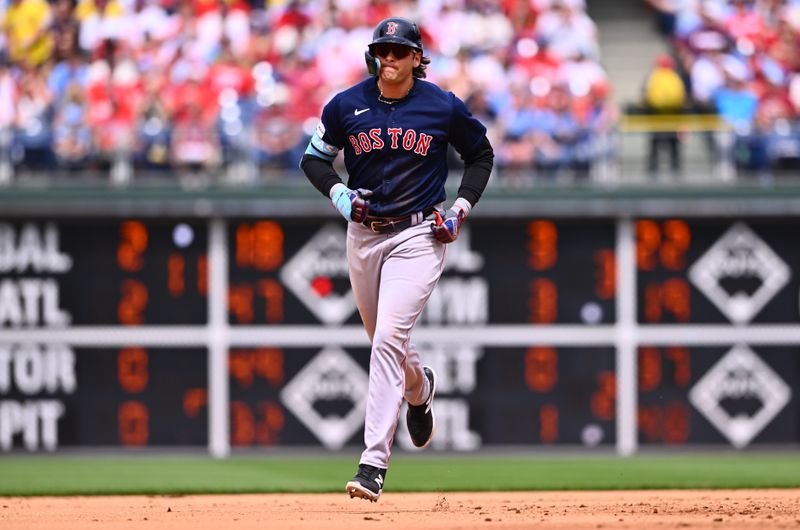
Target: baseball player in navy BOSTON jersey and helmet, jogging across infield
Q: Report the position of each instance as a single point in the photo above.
(395, 130)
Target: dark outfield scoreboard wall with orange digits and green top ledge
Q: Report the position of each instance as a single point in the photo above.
(619, 319)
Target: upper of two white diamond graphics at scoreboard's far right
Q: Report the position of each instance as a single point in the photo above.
(740, 273)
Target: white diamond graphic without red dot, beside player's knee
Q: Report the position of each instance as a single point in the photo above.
(328, 397)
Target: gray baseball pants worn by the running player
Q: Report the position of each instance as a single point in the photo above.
(392, 275)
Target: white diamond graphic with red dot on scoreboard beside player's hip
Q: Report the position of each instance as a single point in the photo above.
(318, 276)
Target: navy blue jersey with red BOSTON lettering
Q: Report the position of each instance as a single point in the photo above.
(398, 151)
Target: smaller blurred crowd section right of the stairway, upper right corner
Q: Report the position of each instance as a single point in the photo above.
(739, 59)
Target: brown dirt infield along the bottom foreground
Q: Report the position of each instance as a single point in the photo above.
(728, 509)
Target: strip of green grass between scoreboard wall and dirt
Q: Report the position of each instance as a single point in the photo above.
(70, 475)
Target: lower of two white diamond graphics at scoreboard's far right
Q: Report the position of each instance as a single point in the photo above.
(740, 395)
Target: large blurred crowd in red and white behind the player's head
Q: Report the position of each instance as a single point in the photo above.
(188, 85)
